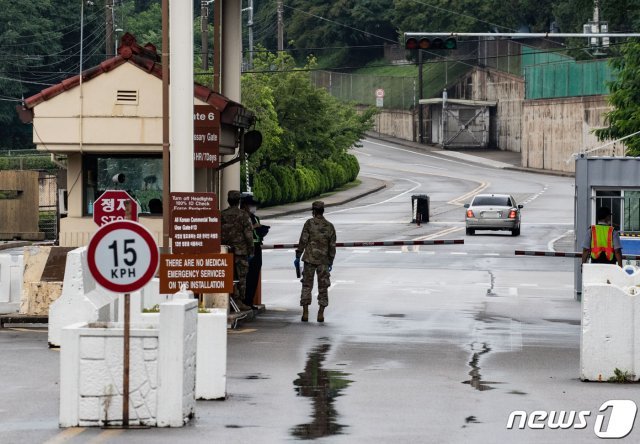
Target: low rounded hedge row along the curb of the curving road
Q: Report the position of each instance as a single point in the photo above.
(282, 184)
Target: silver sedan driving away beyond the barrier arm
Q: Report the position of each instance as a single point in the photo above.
(493, 212)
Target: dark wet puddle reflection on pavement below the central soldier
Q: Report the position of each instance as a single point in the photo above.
(322, 386)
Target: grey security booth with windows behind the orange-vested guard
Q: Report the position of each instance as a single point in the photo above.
(613, 182)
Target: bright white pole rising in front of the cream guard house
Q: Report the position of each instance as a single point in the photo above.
(181, 95)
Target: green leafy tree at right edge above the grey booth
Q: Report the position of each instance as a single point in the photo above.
(624, 118)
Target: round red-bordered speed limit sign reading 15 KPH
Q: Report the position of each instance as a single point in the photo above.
(122, 256)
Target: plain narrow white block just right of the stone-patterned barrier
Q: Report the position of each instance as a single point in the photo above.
(211, 365)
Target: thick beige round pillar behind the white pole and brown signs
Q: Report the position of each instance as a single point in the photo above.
(231, 71)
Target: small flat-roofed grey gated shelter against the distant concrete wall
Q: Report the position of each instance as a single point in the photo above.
(458, 123)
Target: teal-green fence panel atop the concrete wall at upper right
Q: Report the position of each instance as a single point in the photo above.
(549, 75)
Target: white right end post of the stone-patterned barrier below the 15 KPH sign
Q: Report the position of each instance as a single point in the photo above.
(177, 362)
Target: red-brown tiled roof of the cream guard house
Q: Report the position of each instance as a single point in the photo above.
(146, 58)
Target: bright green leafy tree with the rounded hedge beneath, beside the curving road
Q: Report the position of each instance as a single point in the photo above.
(306, 132)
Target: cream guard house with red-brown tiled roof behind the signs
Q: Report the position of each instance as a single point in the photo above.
(110, 123)
